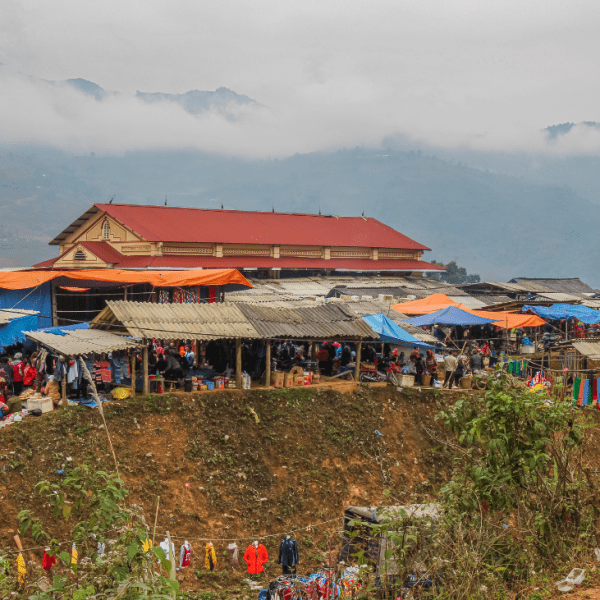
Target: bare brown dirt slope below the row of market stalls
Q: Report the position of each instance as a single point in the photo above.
(232, 464)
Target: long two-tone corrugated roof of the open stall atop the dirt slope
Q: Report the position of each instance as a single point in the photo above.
(232, 320)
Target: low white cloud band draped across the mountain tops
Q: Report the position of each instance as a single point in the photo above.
(319, 116)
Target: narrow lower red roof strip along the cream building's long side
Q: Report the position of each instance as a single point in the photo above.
(234, 262)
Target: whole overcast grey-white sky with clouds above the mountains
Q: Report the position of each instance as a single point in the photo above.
(328, 73)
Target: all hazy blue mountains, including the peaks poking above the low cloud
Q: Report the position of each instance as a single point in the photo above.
(500, 214)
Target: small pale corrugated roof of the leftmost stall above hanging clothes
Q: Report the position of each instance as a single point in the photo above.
(82, 341)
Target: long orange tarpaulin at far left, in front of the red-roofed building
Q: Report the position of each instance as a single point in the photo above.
(20, 280)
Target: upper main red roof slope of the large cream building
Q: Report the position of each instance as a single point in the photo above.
(196, 225)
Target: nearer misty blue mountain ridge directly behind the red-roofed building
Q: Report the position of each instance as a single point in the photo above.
(493, 224)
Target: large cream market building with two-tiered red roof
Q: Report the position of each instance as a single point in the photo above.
(271, 245)
